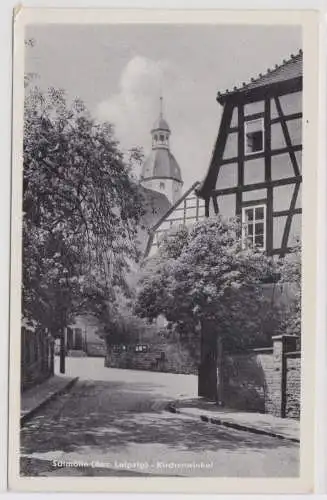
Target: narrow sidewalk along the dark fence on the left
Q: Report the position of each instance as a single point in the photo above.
(35, 398)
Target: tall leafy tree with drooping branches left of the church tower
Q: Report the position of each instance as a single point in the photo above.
(81, 211)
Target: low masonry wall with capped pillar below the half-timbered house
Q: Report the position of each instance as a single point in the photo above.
(265, 380)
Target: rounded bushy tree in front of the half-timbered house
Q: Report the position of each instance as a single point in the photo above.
(202, 279)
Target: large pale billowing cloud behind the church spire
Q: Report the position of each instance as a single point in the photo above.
(191, 114)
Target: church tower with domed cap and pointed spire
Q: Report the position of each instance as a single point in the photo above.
(160, 171)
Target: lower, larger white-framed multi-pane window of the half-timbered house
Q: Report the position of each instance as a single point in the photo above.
(254, 226)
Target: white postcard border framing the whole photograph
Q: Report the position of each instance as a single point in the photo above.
(309, 21)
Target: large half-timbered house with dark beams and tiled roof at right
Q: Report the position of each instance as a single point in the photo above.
(255, 170)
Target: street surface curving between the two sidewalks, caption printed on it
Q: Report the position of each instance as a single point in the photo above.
(114, 422)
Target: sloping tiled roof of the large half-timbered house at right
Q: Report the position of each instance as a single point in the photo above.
(287, 70)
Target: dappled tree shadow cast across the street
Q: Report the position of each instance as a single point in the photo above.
(112, 415)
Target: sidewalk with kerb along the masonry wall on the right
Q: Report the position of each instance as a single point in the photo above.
(258, 423)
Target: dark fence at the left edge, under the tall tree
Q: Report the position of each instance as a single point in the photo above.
(37, 357)
